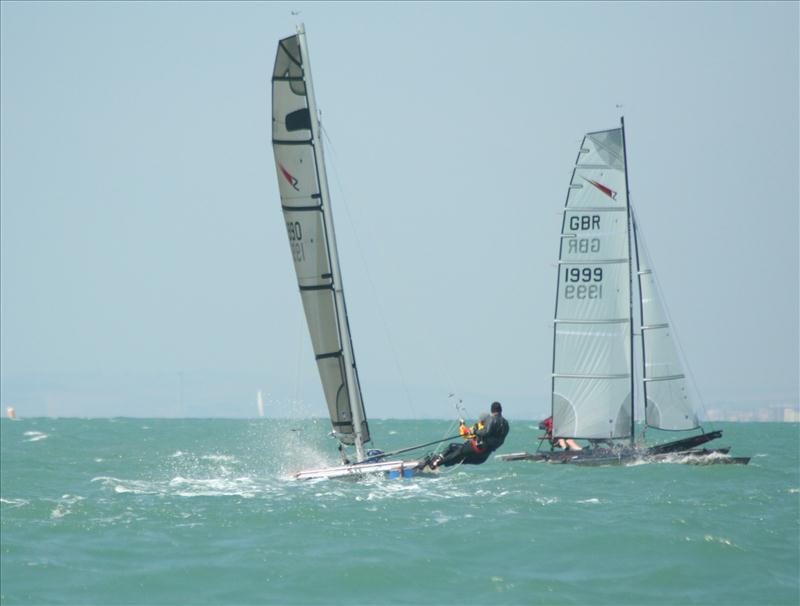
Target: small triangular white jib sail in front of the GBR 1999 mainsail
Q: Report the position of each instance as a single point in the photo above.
(668, 404)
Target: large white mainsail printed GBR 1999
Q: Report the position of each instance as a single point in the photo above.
(592, 364)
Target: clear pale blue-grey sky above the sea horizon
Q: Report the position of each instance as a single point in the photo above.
(144, 265)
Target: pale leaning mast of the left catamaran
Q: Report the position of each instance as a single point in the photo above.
(336, 274)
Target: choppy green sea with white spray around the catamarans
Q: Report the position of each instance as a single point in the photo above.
(156, 511)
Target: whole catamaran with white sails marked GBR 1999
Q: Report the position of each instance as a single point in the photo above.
(599, 306)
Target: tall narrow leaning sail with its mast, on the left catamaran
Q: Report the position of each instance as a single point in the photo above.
(306, 207)
